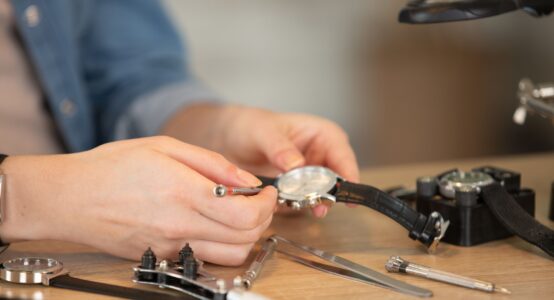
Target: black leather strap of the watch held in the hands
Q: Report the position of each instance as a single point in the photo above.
(396, 209)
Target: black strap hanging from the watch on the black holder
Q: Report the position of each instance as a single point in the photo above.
(516, 219)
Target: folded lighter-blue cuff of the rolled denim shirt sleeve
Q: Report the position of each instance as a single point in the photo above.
(147, 114)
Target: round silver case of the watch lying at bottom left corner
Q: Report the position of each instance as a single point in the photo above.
(31, 270)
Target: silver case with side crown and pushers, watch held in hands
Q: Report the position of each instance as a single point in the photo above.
(307, 187)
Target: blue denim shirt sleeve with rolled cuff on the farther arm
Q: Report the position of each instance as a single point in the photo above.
(135, 68)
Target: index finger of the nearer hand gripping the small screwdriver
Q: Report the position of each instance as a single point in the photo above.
(209, 164)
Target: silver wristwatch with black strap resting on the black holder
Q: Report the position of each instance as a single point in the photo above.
(499, 201)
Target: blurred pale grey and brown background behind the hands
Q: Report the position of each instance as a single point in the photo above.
(404, 93)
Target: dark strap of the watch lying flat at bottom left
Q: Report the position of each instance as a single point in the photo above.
(72, 283)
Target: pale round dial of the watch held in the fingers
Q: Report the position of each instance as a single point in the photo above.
(307, 180)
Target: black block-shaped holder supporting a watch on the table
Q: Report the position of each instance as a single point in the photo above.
(471, 221)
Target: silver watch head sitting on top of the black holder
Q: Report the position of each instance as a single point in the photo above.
(451, 182)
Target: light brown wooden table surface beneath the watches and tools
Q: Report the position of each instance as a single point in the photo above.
(359, 234)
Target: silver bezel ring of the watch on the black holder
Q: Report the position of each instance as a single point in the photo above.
(448, 185)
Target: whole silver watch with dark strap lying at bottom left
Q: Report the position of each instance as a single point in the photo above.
(50, 272)
